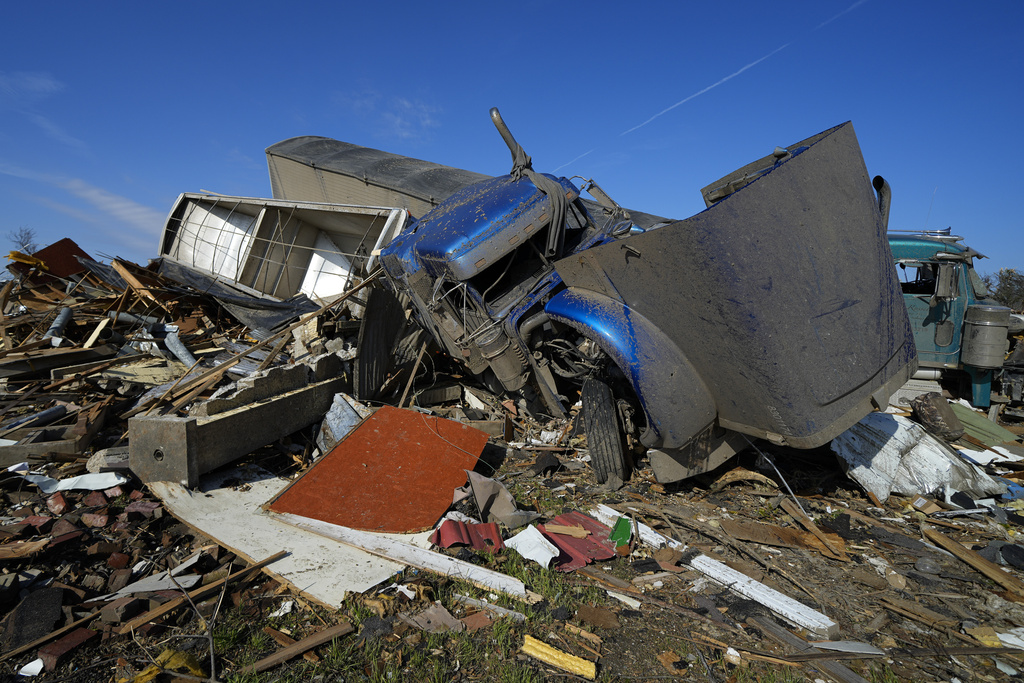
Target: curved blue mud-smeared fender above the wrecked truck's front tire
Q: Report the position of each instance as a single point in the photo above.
(672, 395)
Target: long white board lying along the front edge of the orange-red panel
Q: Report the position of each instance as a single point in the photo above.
(400, 551)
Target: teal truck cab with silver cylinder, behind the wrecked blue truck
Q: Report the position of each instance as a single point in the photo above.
(961, 333)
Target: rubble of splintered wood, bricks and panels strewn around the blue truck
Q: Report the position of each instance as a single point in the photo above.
(221, 482)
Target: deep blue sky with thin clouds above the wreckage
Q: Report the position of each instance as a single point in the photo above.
(109, 111)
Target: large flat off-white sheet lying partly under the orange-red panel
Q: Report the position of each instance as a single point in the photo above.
(323, 571)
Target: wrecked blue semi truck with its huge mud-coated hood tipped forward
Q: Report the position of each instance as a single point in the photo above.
(776, 314)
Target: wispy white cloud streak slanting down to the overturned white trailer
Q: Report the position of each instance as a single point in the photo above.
(130, 214)
